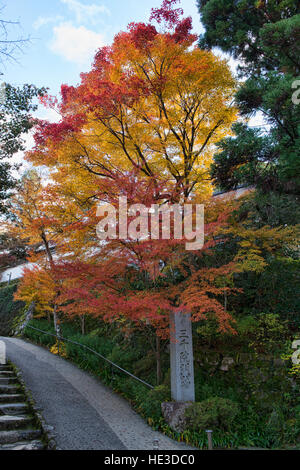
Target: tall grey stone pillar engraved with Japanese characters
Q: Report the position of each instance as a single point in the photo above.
(182, 358)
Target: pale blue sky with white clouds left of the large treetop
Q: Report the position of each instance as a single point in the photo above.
(66, 33)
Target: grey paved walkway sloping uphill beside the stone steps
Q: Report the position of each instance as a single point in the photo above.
(85, 414)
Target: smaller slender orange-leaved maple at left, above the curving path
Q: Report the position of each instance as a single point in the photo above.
(35, 224)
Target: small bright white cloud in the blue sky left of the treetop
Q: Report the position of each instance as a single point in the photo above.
(75, 44)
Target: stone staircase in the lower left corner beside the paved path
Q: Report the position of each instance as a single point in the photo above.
(19, 429)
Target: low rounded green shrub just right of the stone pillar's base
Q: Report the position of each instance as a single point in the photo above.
(212, 413)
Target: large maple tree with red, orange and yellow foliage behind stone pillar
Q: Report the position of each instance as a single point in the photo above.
(143, 123)
